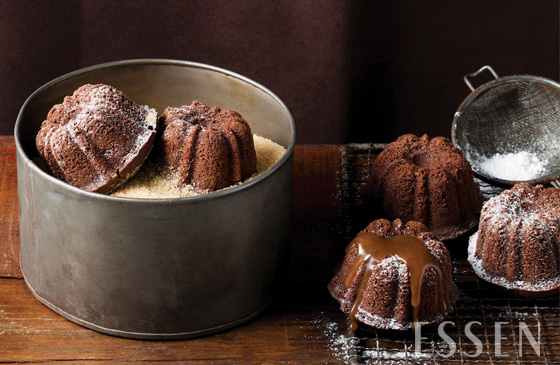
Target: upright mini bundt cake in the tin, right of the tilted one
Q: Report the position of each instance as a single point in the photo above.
(208, 148)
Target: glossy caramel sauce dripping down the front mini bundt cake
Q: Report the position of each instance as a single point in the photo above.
(407, 249)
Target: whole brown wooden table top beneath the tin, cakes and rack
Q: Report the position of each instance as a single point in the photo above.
(304, 324)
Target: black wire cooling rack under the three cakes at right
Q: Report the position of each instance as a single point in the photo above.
(487, 326)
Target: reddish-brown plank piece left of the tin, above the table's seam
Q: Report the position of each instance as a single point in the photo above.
(9, 222)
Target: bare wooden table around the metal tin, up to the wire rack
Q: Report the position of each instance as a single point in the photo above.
(293, 329)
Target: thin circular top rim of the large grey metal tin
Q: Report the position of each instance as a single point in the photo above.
(158, 61)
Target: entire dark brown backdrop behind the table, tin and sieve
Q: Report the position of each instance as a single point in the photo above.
(343, 67)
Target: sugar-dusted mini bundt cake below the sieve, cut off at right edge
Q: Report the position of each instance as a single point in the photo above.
(517, 246)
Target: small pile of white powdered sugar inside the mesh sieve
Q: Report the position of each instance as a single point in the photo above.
(514, 166)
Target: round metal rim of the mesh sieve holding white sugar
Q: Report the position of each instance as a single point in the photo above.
(472, 96)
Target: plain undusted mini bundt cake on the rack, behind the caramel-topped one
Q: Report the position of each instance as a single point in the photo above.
(429, 181)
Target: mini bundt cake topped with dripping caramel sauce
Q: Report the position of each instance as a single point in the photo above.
(395, 275)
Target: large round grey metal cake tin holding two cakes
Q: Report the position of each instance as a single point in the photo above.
(166, 268)
